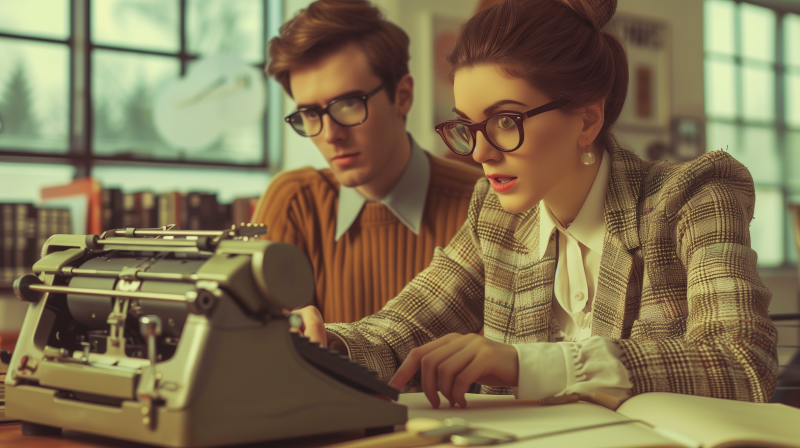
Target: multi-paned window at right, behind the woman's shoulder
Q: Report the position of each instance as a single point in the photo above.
(752, 102)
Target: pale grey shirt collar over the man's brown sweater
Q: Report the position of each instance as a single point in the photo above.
(406, 200)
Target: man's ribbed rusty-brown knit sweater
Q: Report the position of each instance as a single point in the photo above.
(378, 255)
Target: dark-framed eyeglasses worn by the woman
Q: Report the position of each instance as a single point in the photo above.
(503, 131)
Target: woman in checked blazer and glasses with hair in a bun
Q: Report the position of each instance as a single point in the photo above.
(592, 272)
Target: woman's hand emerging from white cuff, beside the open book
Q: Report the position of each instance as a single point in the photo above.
(452, 363)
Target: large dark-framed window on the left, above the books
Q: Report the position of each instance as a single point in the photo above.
(133, 87)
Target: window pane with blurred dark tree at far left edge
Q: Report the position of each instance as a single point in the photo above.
(34, 101)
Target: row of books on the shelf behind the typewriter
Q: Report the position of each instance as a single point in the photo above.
(84, 207)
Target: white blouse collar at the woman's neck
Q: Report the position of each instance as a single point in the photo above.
(589, 226)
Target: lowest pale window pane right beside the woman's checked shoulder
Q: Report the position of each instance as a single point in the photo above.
(766, 230)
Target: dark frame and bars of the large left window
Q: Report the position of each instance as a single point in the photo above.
(80, 142)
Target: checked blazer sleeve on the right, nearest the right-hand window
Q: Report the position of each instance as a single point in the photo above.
(719, 340)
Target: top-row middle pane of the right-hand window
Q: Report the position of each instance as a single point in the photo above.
(758, 32)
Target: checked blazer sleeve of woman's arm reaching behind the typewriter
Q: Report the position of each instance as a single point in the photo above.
(446, 297)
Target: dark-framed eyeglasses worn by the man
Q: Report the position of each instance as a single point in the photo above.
(348, 111)
